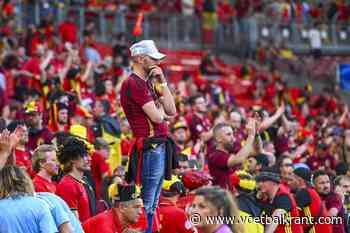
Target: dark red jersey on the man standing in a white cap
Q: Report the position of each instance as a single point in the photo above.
(134, 94)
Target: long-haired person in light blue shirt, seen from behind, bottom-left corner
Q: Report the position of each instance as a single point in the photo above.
(20, 210)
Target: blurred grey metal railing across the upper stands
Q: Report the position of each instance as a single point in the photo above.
(180, 31)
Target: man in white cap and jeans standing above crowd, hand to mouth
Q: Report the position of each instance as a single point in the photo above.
(147, 103)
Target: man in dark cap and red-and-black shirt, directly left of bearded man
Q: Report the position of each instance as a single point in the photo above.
(308, 201)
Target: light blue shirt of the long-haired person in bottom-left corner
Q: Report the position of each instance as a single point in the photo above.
(25, 214)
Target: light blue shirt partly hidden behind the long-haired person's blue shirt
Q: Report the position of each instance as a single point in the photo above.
(60, 211)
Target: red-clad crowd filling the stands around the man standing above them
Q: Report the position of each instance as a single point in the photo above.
(246, 142)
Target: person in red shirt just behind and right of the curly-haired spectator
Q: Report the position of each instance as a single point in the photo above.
(99, 166)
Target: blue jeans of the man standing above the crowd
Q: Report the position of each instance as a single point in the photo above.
(153, 165)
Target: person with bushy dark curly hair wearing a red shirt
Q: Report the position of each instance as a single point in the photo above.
(75, 160)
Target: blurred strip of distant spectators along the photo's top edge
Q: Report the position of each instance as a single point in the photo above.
(282, 10)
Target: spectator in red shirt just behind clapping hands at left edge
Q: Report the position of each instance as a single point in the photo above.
(23, 156)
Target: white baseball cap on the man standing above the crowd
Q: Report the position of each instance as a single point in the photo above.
(146, 47)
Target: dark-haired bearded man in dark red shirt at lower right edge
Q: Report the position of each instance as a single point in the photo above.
(332, 200)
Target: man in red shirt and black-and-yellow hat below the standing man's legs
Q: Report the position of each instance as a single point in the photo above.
(127, 208)
